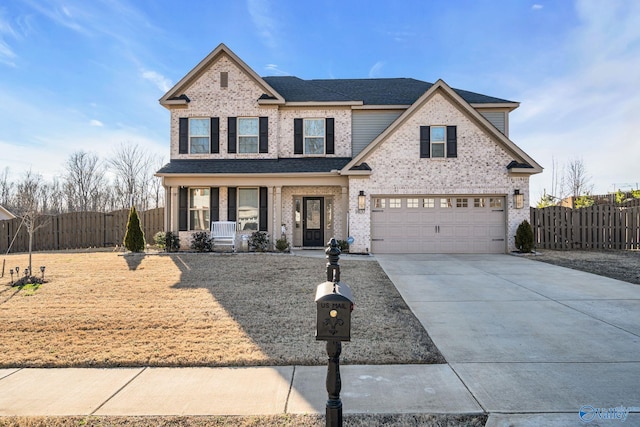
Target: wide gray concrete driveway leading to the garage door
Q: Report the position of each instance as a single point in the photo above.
(534, 343)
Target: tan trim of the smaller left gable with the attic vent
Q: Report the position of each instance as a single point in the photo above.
(175, 95)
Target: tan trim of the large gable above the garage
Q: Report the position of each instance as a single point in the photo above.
(452, 96)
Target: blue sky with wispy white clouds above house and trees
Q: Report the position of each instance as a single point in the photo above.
(87, 75)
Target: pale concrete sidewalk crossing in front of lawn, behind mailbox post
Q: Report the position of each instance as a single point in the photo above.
(231, 391)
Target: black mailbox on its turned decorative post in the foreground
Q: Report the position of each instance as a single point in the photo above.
(334, 303)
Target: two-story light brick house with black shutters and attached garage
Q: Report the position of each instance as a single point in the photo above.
(398, 165)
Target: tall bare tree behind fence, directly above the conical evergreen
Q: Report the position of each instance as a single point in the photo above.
(131, 168)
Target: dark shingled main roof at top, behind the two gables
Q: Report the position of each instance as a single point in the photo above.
(397, 91)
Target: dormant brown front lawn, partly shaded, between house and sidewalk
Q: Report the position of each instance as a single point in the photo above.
(105, 309)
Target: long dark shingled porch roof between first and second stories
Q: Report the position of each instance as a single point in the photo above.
(248, 166)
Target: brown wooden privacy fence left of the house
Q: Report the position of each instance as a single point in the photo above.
(77, 230)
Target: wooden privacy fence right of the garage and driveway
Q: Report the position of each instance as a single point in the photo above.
(595, 227)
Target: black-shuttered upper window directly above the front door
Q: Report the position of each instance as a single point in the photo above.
(313, 137)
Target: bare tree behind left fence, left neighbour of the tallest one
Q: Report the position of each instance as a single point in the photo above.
(84, 182)
